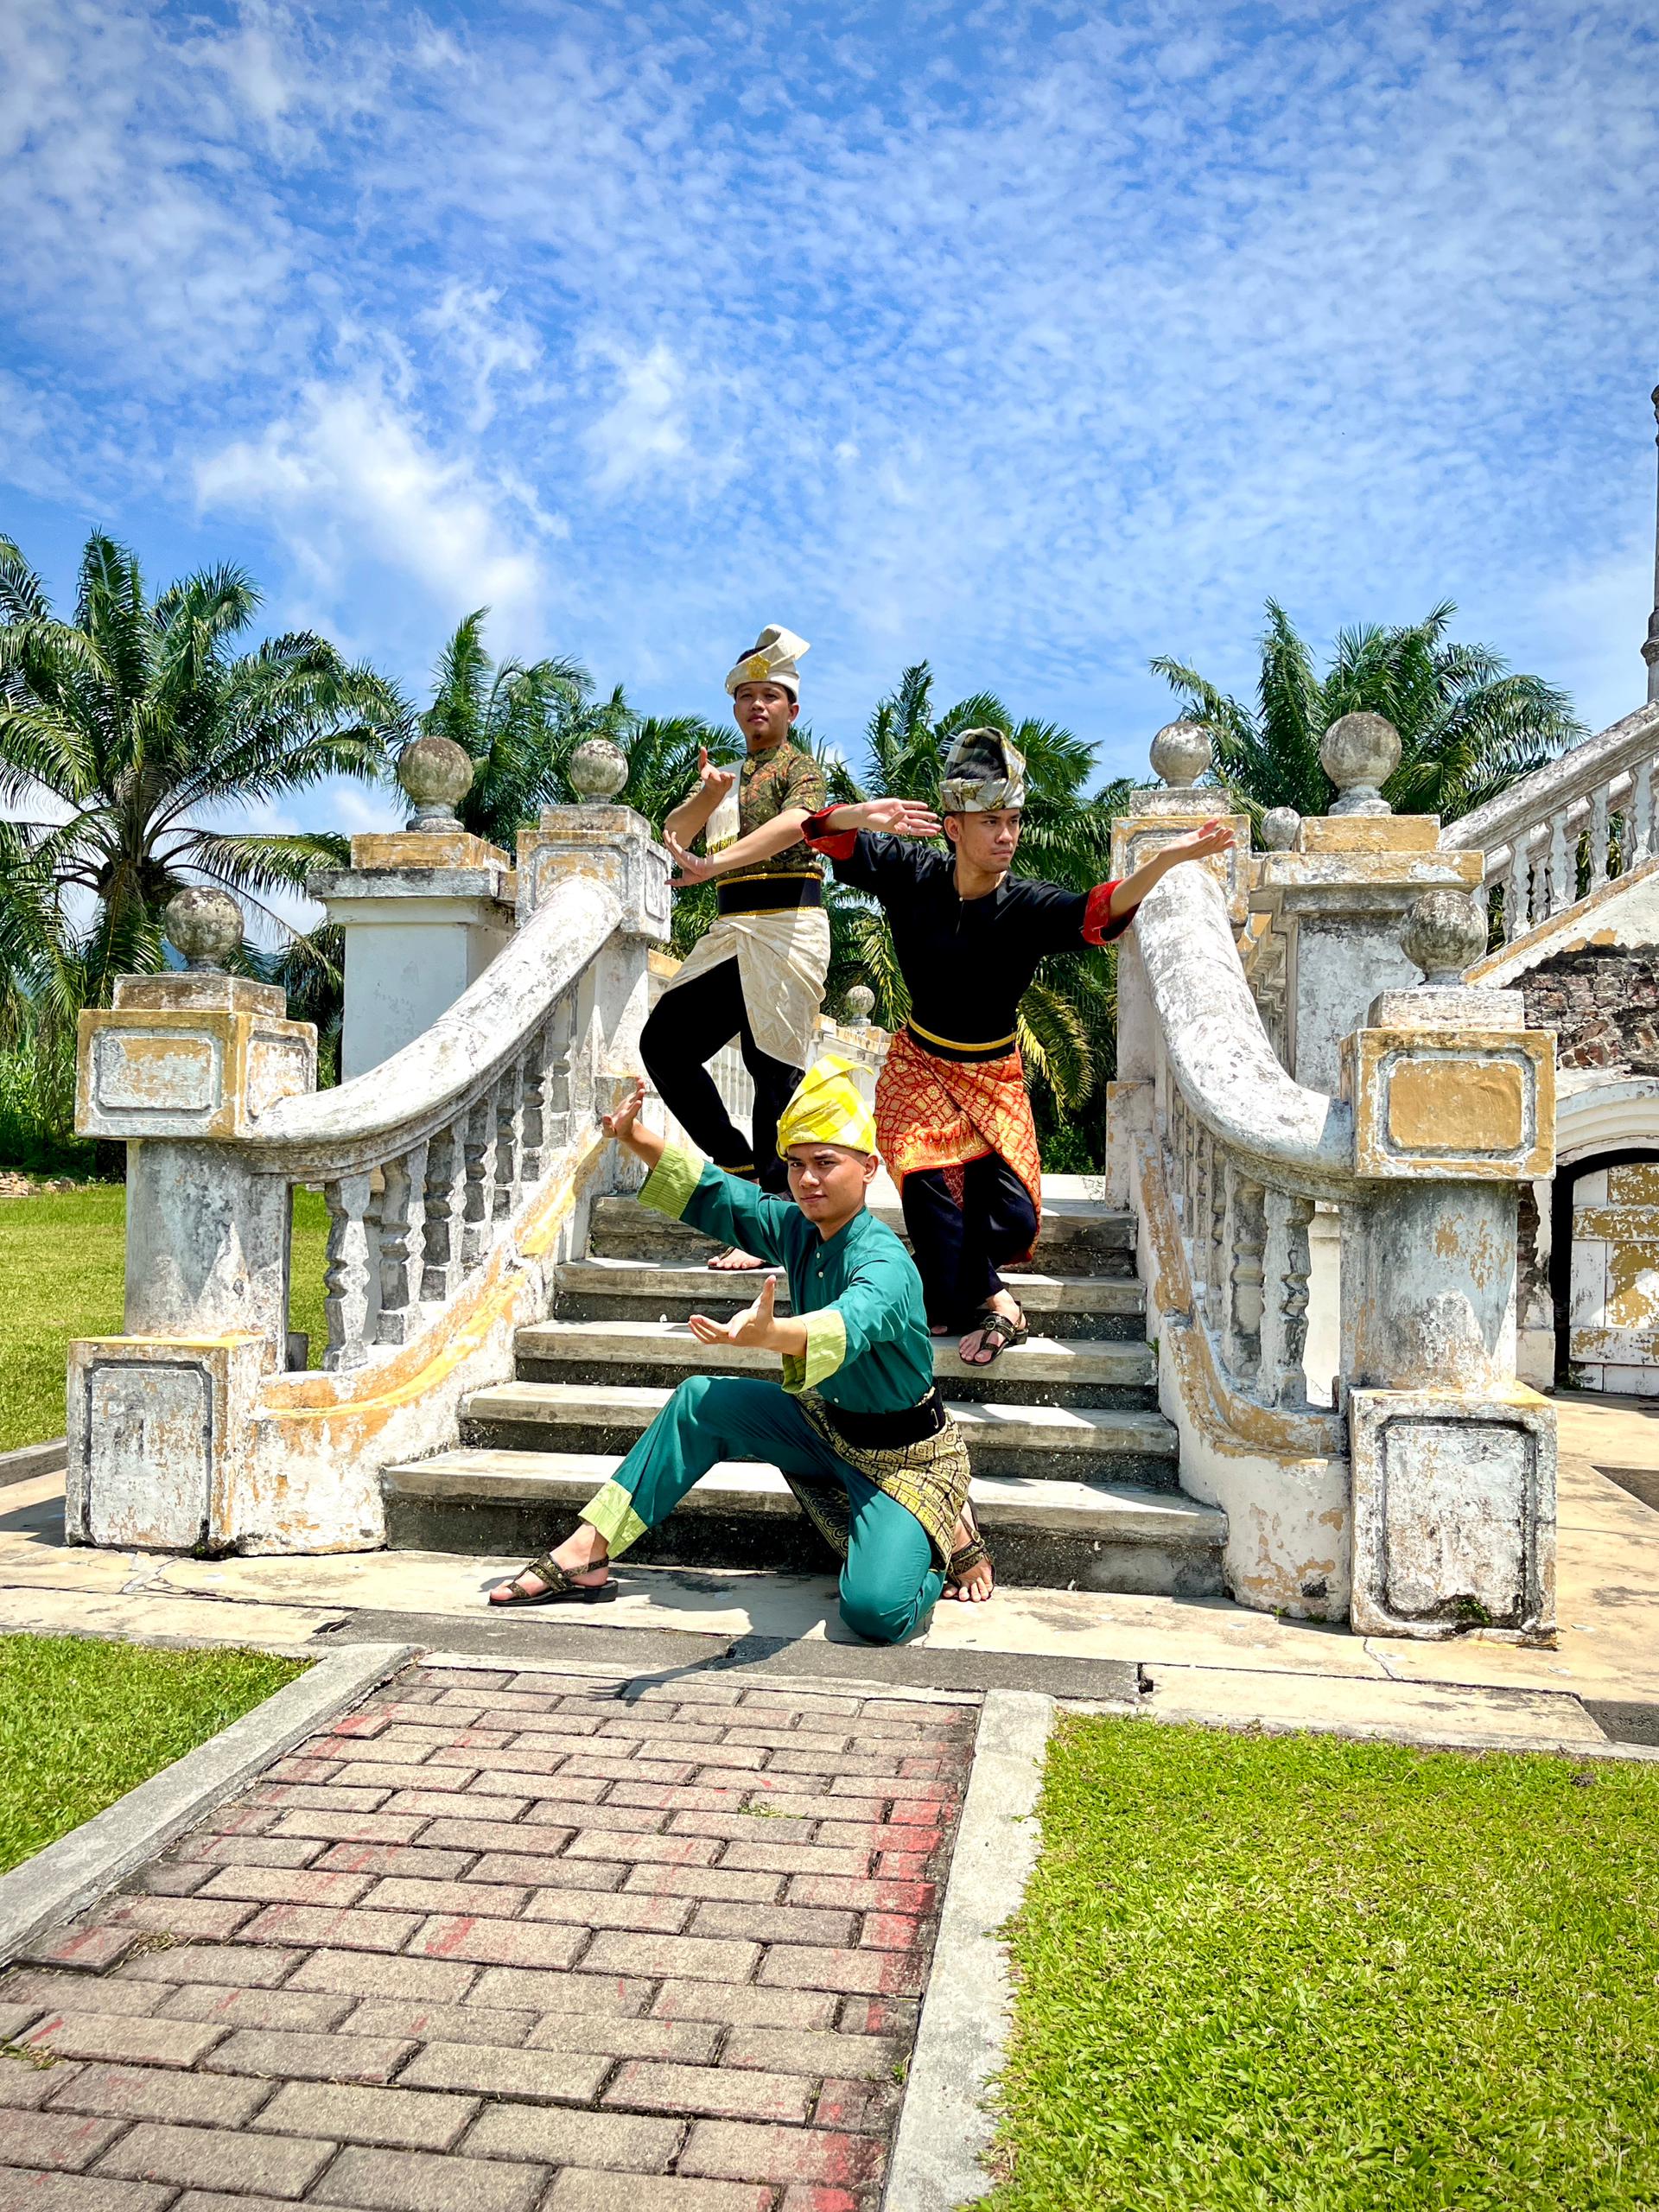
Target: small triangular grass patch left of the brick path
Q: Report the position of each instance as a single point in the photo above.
(85, 1722)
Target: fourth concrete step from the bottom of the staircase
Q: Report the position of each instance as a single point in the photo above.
(1098, 1308)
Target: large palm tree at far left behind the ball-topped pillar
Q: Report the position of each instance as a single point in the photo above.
(125, 733)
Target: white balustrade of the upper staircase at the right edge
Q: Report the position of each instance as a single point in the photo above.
(1572, 826)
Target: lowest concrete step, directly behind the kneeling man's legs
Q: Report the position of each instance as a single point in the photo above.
(1045, 1534)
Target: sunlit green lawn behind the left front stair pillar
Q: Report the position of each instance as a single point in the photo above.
(61, 1277)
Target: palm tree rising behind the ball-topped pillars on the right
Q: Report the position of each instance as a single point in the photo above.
(1468, 724)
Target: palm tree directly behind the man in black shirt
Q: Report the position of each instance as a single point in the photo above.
(1067, 1021)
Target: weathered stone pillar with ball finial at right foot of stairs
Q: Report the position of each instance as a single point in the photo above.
(1452, 1459)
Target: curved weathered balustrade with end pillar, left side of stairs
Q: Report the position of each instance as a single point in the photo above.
(457, 1176)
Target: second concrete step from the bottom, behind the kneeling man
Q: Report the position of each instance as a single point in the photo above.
(1036, 1441)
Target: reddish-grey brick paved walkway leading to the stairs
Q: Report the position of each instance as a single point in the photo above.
(494, 1943)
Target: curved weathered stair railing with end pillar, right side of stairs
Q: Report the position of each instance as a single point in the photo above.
(1423, 1501)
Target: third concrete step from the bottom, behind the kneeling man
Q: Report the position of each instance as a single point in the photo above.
(662, 1353)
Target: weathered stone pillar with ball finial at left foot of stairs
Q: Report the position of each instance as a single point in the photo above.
(178, 1067)
